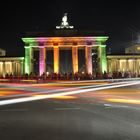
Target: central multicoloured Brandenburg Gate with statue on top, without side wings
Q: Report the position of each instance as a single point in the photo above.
(70, 39)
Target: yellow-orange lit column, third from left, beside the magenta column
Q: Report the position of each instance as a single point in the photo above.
(56, 59)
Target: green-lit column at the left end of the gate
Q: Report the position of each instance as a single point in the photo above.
(28, 60)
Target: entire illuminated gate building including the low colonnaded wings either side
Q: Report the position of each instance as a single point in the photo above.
(65, 37)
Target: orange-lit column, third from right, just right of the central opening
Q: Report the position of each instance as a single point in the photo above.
(75, 59)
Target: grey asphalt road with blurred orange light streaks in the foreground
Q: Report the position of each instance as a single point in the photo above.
(107, 114)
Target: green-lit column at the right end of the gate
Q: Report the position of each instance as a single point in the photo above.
(102, 58)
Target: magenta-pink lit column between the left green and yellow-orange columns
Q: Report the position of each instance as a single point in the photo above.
(42, 60)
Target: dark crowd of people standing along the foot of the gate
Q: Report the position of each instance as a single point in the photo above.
(71, 76)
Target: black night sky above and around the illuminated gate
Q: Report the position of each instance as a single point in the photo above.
(120, 20)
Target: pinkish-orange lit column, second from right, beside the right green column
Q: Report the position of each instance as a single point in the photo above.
(88, 57)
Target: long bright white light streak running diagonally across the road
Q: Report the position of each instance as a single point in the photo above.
(27, 99)
